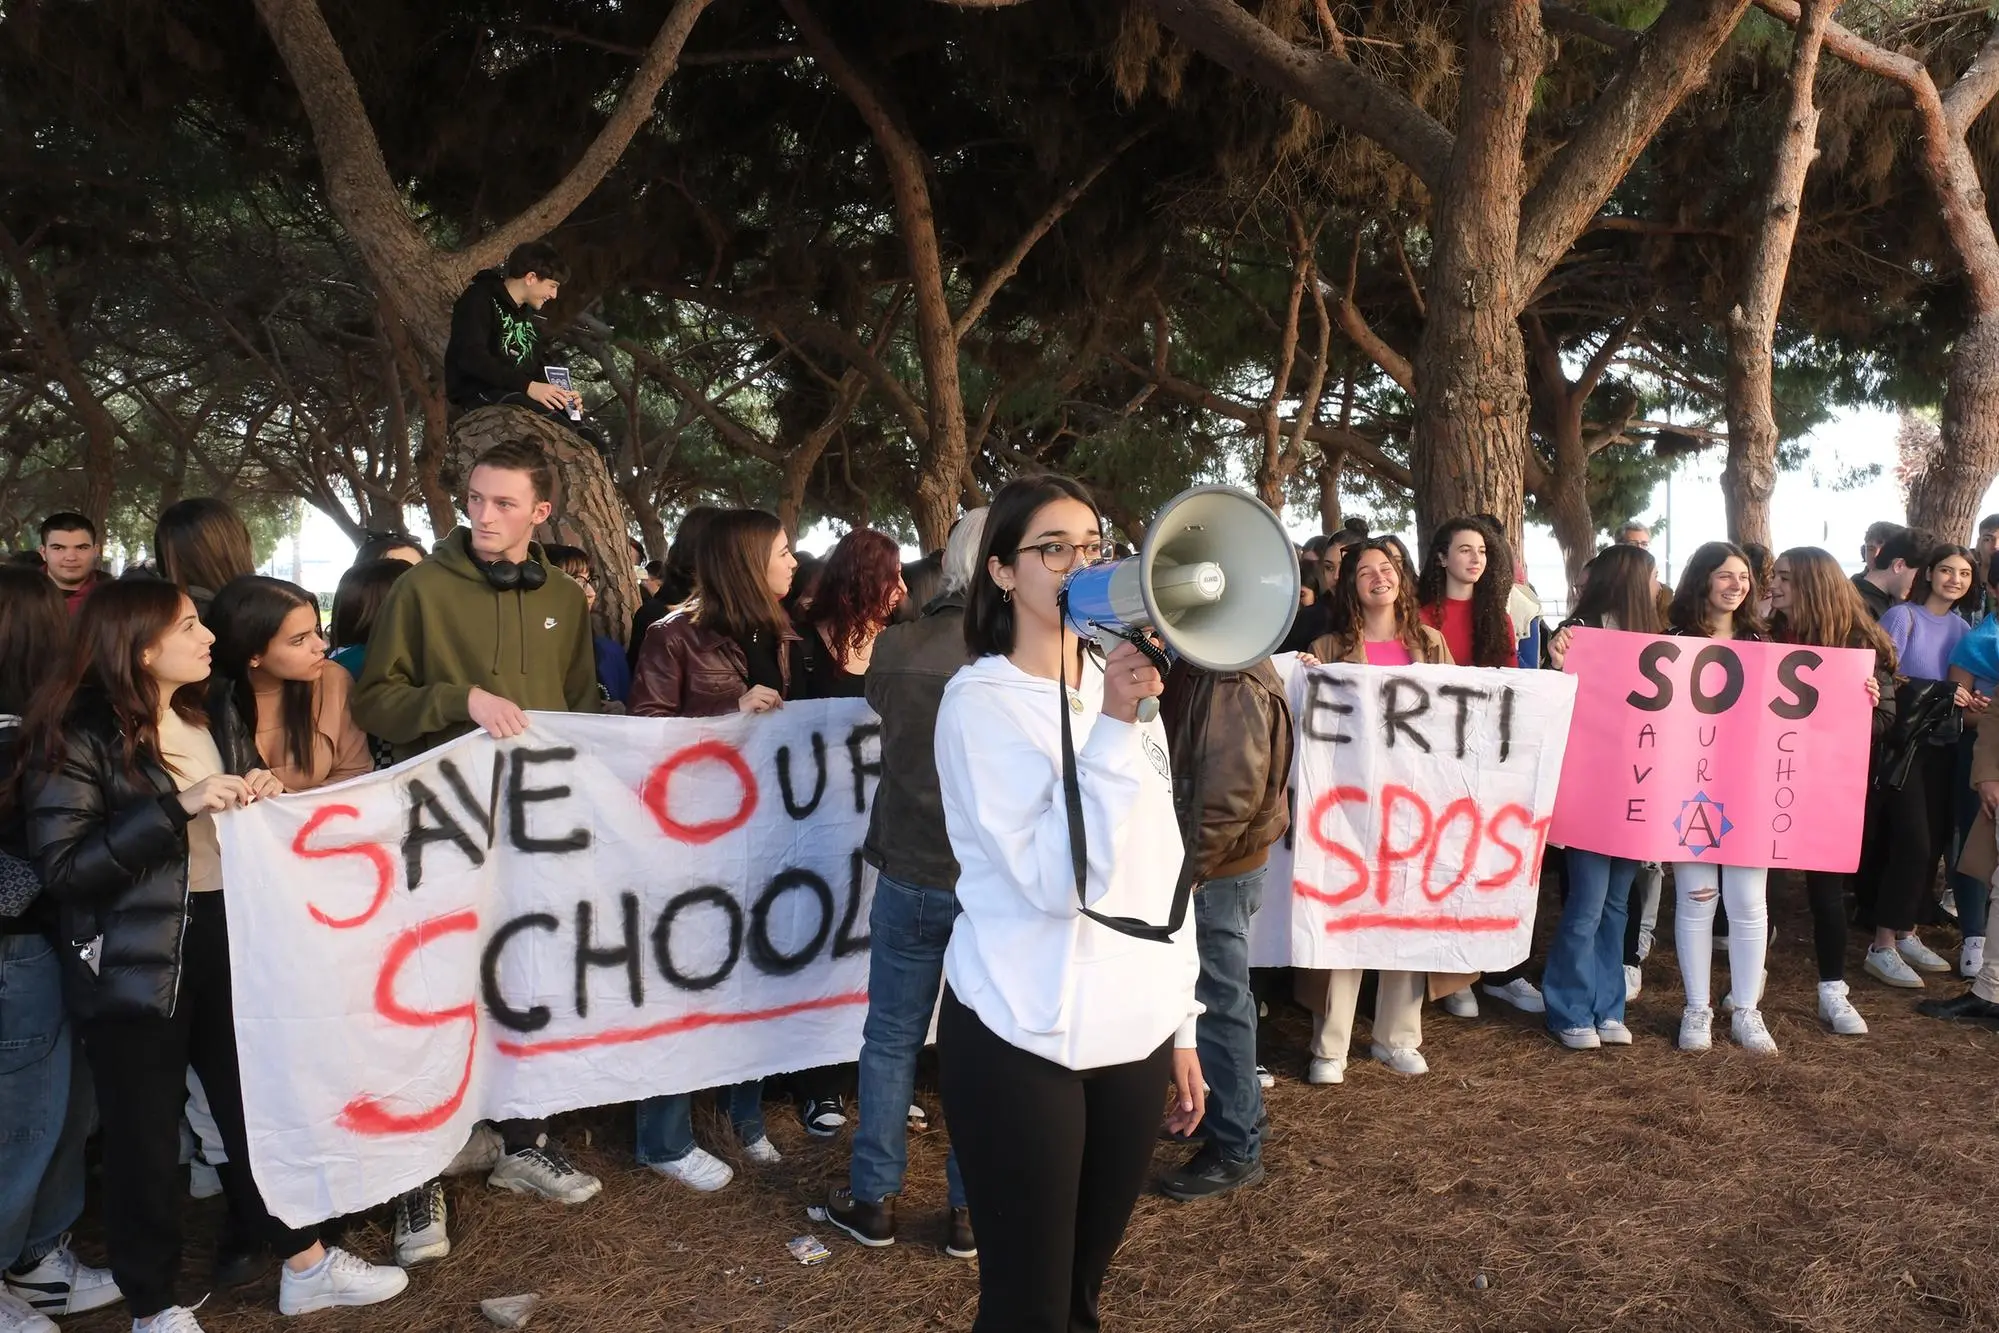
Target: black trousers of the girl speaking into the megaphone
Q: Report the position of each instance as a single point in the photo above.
(1052, 1160)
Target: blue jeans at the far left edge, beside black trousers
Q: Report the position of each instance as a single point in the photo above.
(45, 1102)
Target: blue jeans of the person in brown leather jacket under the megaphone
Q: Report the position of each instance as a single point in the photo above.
(1226, 1030)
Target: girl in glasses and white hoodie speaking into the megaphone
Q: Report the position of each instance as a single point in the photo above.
(1060, 1018)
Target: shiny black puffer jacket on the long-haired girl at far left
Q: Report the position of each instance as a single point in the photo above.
(113, 852)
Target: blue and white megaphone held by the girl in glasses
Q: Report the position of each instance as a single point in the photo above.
(1216, 581)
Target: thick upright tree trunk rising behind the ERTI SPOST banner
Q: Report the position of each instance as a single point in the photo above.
(1470, 449)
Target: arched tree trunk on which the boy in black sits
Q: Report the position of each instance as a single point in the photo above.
(589, 511)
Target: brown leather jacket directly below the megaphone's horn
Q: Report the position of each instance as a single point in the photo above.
(1236, 730)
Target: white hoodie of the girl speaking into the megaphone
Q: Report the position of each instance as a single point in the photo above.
(1038, 972)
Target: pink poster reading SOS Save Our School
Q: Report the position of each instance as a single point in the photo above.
(1700, 750)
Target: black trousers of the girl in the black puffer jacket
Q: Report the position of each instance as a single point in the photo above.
(141, 1068)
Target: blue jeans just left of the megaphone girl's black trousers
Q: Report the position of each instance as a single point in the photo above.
(909, 928)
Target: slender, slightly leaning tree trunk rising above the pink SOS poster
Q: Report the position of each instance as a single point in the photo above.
(1750, 477)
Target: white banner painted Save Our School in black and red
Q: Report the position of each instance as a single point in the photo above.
(601, 910)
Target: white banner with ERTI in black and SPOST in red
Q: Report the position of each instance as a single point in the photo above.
(1422, 800)
